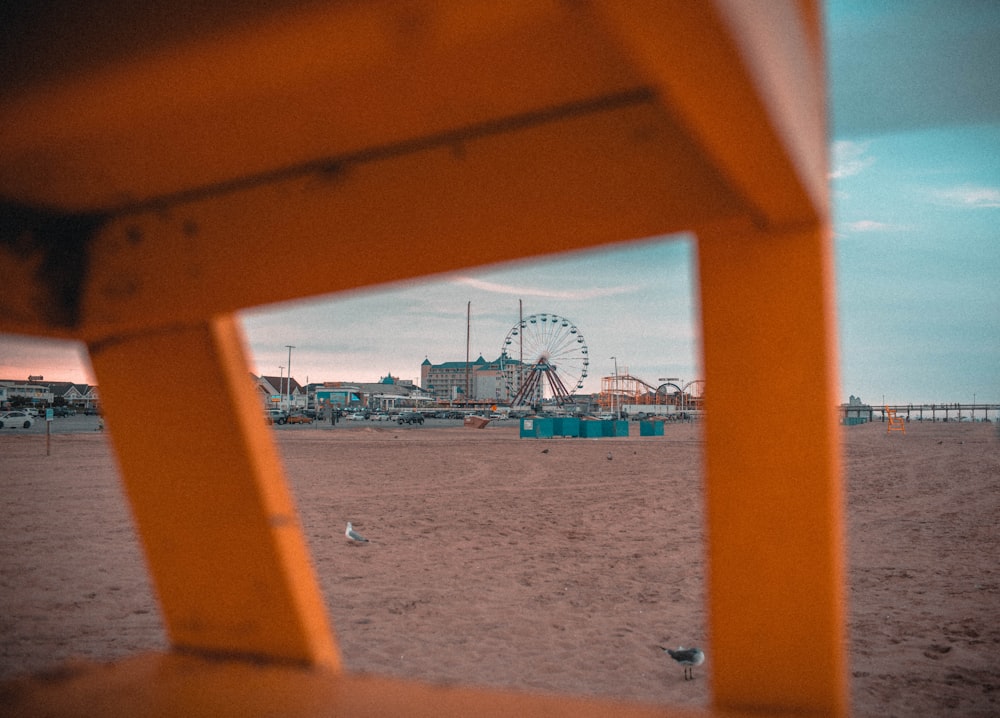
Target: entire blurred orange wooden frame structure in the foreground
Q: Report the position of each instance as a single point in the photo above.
(154, 153)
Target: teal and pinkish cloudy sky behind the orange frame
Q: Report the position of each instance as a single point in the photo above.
(915, 183)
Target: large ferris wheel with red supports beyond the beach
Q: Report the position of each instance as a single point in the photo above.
(543, 356)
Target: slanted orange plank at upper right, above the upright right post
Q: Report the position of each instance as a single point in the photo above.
(745, 79)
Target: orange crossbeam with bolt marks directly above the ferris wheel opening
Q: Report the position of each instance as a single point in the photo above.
(581, 181)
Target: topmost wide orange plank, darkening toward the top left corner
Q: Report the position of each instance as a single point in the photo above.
(254, 92)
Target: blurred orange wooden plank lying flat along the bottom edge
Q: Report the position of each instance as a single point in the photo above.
(182, 685)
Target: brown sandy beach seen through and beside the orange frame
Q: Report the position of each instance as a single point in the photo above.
(539, 565)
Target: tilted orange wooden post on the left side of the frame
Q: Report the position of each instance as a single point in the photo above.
(206, 487)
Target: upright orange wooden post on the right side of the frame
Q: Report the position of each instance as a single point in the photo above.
(773, 485)
